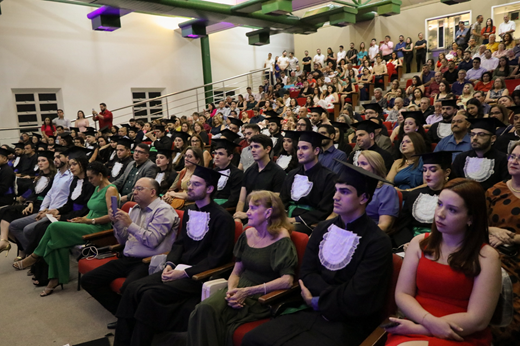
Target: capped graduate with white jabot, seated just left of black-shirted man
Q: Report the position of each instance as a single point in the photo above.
(230, 181)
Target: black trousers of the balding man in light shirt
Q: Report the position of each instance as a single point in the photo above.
(97, 282)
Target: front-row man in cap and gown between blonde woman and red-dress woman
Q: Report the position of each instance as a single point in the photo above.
(345, 274)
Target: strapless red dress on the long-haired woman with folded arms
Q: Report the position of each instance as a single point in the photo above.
(442, 291)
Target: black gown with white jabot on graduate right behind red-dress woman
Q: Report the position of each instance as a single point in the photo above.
(410, 212)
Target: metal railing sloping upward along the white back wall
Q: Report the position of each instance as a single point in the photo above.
(183, 102)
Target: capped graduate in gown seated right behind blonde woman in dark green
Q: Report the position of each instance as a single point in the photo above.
(307, 190)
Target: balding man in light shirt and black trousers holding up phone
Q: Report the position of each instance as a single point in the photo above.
(148, 229)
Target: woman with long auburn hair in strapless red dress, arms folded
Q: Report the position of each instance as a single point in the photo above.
(450, 280)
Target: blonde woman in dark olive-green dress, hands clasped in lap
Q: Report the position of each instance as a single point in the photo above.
(265, 261)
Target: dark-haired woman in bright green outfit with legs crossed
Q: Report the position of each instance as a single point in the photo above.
(61, 235)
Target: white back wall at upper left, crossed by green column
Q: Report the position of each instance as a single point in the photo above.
(52, 45)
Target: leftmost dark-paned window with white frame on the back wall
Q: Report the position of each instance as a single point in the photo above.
(33, 106)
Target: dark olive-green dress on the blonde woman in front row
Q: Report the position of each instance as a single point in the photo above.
(213, 321)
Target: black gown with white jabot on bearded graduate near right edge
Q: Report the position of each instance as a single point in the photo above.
(487, 171)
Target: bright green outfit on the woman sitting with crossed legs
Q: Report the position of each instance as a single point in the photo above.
(61, 236)
